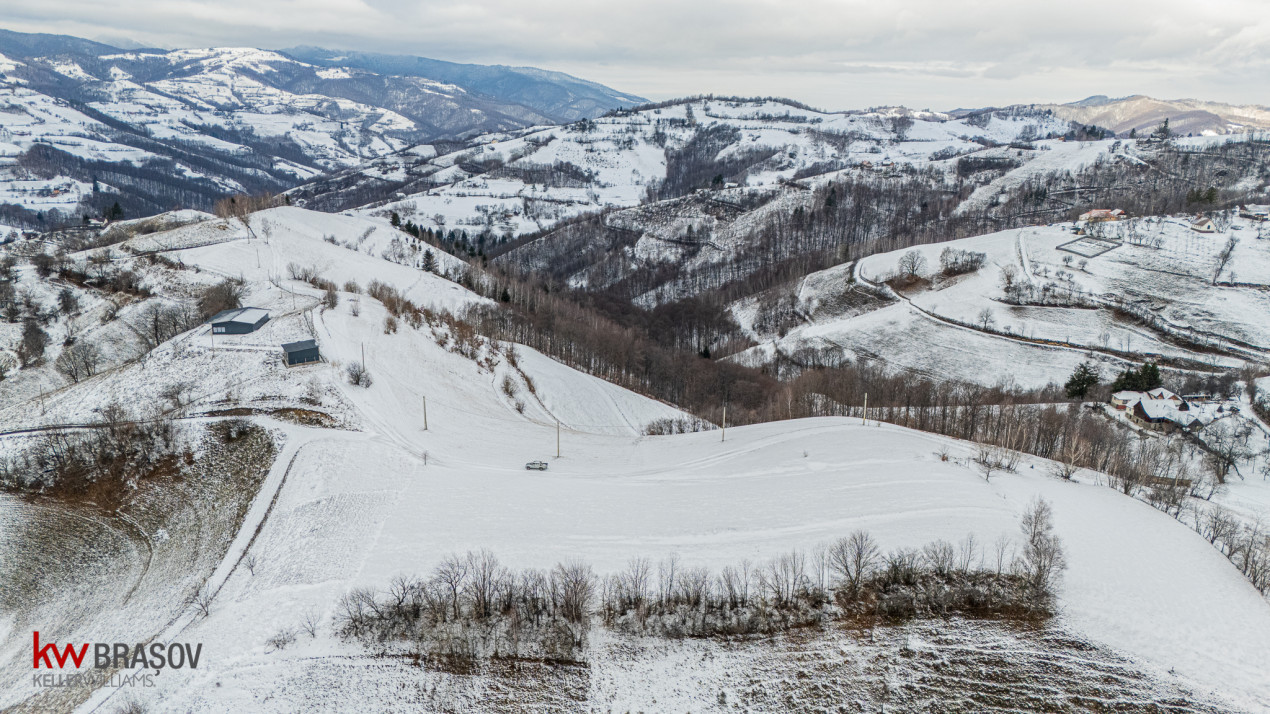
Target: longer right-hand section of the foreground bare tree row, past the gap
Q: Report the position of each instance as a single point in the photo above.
(850, 577)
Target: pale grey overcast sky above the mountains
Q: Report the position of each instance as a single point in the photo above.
(832, 54)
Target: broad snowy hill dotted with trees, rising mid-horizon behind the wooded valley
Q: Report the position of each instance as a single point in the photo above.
(529, 181)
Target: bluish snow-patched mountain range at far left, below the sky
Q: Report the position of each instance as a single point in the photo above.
(84, 123)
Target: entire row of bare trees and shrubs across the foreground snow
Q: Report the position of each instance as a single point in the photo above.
(473, 608)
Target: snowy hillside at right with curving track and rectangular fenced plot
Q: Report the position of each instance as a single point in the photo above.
(1147, 289)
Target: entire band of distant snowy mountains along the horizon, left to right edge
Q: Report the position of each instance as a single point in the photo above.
(86, 125)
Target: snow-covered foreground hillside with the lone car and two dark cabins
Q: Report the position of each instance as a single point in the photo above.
(389, 490)
